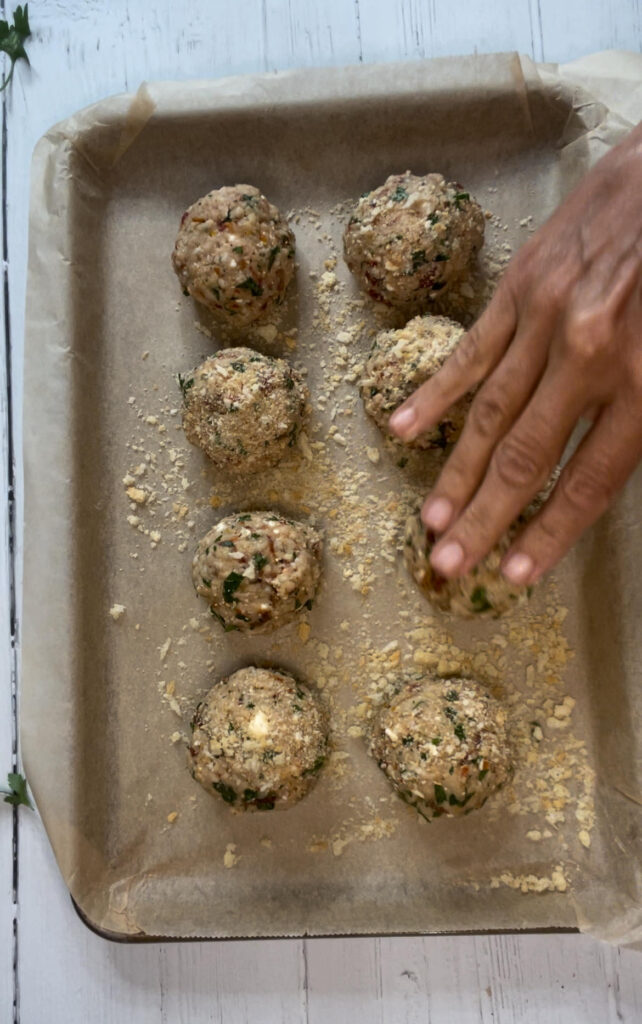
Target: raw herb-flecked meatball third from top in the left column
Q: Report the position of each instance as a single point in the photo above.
(258, 571)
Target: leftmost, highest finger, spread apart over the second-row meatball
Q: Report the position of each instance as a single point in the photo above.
(477, 355)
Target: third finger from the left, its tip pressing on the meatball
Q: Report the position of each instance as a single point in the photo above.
(521, 466)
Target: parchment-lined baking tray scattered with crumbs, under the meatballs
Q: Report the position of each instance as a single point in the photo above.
(107, 699)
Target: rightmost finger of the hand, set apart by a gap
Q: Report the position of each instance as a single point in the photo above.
(589, 483)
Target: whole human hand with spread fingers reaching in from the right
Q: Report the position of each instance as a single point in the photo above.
(561, 339)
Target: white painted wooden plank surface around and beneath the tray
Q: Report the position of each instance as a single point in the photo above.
(81, 52)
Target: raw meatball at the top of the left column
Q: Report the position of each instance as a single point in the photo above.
(235, 253)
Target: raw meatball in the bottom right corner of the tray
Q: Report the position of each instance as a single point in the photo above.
(444, 745)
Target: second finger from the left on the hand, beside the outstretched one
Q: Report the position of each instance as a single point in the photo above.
(495, 409)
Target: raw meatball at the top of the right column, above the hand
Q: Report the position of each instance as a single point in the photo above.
(410, 239)
